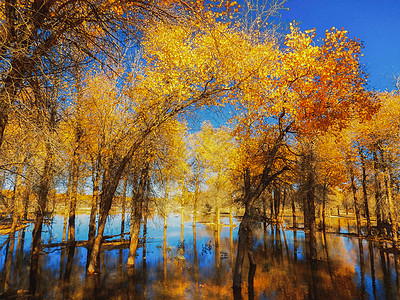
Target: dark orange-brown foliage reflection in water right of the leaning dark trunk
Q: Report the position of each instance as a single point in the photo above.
(289, 277)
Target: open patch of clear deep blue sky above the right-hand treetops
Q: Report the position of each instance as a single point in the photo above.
(375, 22)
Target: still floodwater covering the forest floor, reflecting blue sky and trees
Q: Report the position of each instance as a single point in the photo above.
(197, 263)
